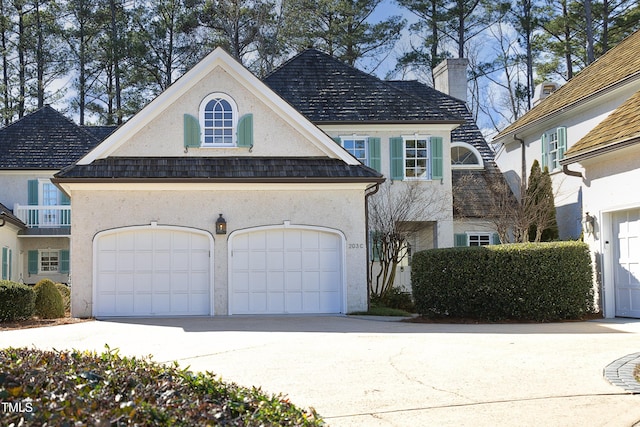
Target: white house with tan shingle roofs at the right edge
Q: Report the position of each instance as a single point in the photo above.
(589, 129)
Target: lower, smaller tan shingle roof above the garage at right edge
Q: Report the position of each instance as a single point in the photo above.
(620, 127)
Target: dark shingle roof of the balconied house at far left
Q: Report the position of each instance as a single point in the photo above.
(44, 139)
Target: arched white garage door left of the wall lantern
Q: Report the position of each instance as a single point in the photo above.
(152, 271)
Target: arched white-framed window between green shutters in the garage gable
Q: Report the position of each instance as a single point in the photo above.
(218, 120)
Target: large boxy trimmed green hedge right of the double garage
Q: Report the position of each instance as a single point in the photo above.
(539, 282)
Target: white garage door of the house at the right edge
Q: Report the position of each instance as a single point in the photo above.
(626, 259)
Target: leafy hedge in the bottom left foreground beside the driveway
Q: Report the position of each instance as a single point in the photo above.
(81, 388)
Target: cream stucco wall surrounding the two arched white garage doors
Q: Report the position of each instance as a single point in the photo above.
(340, 209)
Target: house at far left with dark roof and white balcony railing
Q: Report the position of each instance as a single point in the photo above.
(35, 236)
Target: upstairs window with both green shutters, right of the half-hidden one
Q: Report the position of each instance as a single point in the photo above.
(416, 157)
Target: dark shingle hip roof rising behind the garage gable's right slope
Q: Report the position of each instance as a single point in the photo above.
(326, 90)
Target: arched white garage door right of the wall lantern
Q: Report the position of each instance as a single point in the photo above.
(277, 271)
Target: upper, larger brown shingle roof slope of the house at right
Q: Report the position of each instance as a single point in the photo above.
(620, 64)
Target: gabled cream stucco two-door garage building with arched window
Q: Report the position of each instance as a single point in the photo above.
(218, 198)
